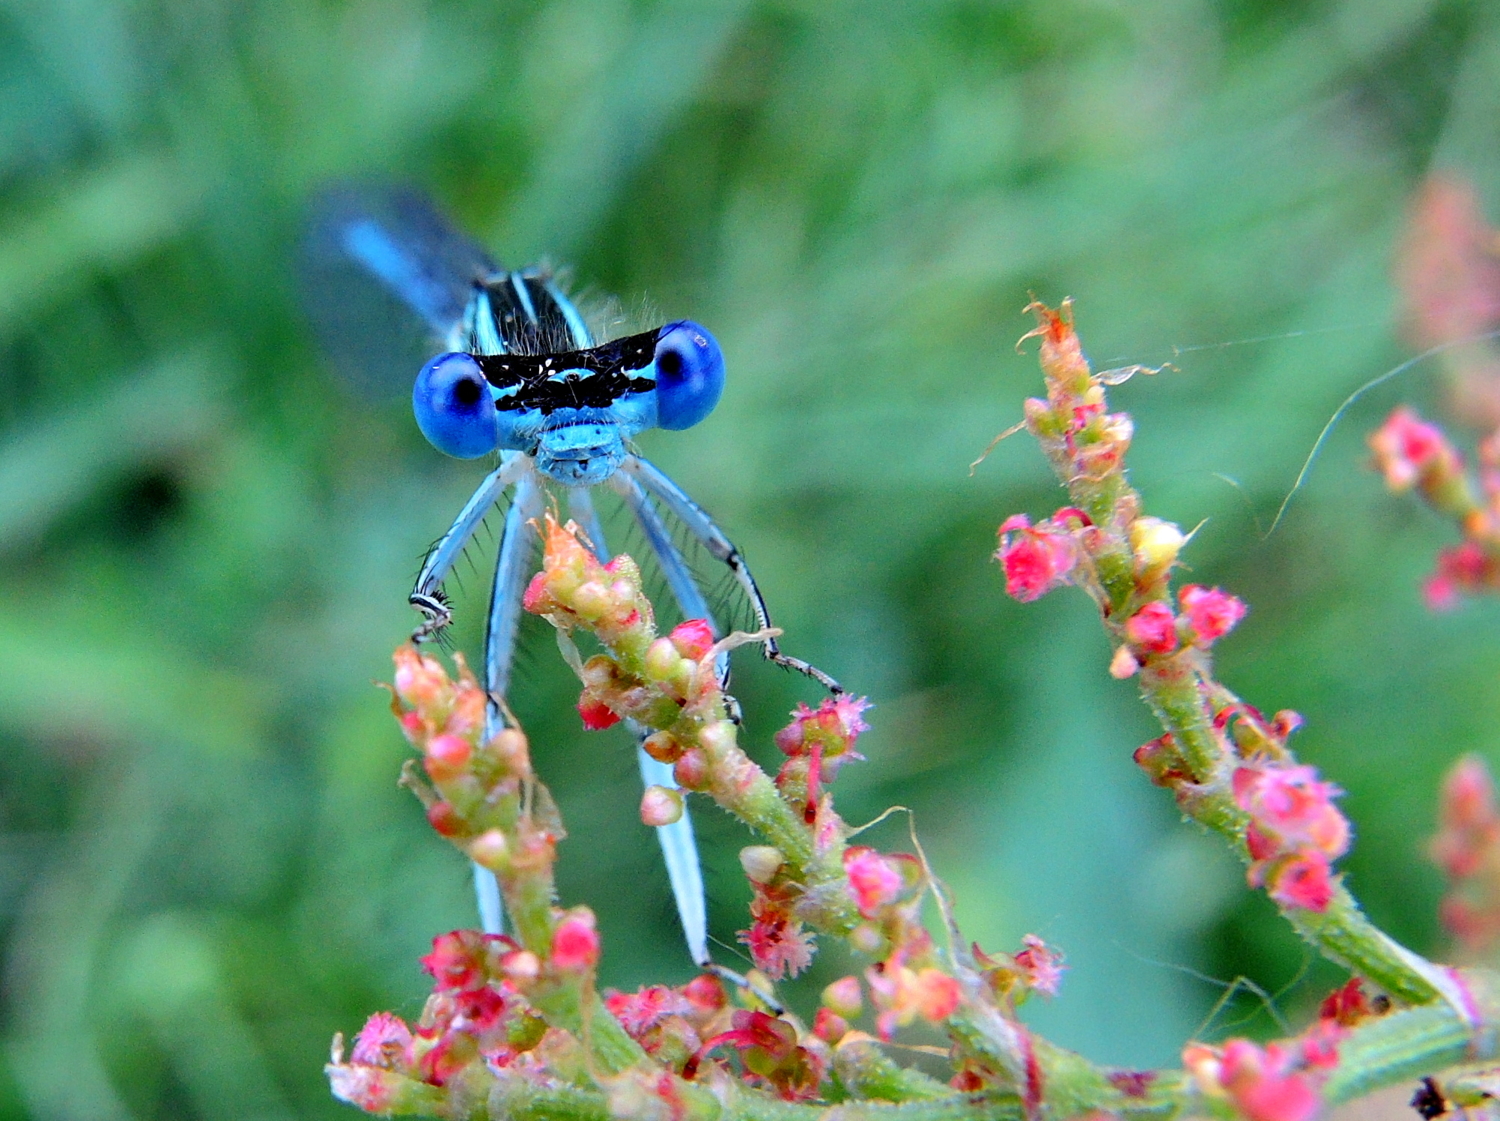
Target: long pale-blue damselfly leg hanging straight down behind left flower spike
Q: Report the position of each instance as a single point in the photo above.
(512, 571)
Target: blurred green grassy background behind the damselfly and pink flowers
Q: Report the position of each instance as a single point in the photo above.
(208, 536)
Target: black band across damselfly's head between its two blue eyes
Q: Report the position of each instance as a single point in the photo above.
(608, 376)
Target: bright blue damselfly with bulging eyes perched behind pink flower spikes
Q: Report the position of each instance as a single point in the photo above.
(524, 377)
